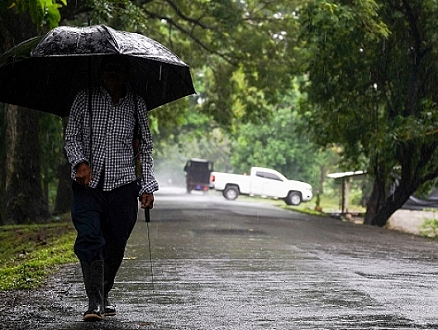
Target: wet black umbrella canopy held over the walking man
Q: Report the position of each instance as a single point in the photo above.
(45, 73)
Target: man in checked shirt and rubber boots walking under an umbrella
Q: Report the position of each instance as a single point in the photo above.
(99, 147)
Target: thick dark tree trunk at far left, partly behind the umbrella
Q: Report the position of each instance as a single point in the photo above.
(21, 195)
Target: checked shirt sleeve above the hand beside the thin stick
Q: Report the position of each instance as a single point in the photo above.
(148, 181)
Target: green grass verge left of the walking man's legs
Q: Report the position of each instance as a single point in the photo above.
(29, 253)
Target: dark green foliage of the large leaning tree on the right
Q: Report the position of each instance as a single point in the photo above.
(360, 77)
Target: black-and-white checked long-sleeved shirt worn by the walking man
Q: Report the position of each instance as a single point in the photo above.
(112, 136)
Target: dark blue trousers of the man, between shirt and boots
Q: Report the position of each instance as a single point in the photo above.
(104, 221)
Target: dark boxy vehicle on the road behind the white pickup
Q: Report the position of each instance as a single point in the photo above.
(198, 174)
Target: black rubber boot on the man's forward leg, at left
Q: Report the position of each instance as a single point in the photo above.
(93, 280)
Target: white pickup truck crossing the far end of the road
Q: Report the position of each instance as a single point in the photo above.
(261, 182)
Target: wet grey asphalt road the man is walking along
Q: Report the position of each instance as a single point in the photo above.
(219, 264)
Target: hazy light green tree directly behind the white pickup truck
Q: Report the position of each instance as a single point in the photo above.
(280, 144)
